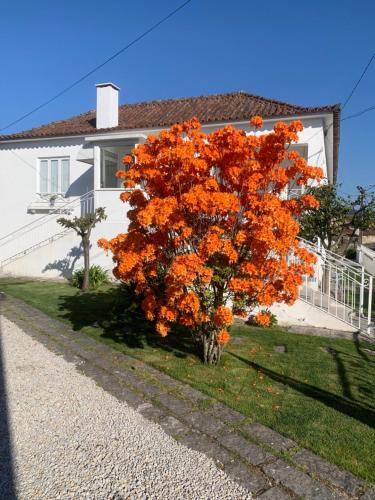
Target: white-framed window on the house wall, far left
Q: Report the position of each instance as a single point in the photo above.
(54, 175)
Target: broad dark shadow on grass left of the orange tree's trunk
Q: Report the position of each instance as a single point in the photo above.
(117, 315)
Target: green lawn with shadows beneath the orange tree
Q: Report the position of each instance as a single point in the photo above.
(326, 403)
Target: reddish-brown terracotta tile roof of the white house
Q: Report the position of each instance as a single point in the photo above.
(235, 106)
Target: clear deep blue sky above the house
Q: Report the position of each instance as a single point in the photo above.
(307, 53)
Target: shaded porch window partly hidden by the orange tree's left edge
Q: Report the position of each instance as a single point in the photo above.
(110, 163)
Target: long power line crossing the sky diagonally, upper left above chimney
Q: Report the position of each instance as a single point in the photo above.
(116, 54)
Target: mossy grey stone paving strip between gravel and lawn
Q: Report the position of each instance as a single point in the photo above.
(248, 452)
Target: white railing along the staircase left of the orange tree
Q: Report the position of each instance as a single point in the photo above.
(43, 229)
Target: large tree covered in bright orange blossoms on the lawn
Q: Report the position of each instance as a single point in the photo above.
(210, 235)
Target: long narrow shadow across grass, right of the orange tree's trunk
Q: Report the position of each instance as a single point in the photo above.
(352, 409)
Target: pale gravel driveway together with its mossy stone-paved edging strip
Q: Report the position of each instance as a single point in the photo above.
(73, 440)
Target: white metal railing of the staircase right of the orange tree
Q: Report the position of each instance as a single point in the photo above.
(340, 287)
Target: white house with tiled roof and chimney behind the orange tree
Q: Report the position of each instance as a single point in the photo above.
(68, 167)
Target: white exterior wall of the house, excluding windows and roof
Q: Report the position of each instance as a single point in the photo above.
(18, 189)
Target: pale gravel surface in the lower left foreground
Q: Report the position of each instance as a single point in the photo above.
(73, 440)
